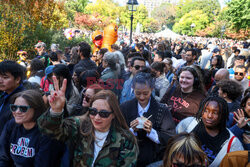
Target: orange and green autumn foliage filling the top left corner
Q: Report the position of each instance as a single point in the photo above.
(24, 22)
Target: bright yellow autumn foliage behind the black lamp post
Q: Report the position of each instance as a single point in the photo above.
(107, 11)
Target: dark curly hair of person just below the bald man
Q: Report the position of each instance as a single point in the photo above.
(232, 88)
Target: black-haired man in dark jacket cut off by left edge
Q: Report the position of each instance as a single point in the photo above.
(11, 76)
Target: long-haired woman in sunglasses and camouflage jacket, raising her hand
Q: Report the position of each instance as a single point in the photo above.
(102, 137)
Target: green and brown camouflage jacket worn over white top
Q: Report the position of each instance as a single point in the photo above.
(118, 149)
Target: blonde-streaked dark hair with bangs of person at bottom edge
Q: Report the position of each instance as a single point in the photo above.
(185, 145)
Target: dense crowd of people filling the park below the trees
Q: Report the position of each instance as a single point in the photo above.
(156, 102)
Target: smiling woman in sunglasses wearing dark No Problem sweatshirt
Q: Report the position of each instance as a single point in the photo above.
(21, 142)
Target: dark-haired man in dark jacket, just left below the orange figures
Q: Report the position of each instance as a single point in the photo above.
(85, 61)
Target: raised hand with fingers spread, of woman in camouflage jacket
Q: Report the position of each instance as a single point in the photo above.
(57, 97)
